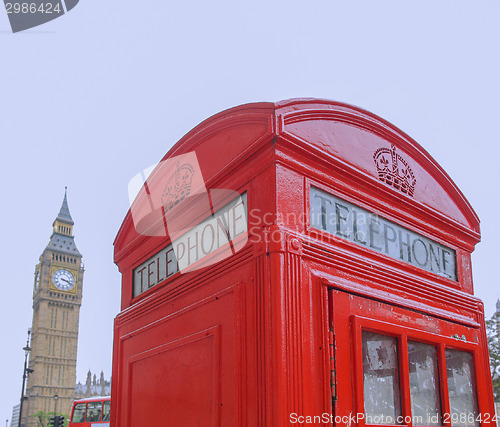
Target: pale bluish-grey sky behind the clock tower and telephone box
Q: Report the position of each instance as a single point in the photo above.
(94, 97)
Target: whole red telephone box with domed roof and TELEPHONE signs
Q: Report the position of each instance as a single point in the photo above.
(299, 263)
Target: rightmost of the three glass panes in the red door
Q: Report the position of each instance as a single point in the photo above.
(461, 388)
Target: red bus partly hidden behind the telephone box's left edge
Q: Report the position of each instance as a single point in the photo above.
(93, 411)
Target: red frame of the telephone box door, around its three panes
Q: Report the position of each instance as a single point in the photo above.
(347, 313)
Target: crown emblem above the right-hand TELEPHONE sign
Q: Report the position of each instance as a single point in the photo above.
(394, 170)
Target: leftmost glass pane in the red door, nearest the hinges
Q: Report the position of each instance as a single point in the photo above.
(380, 379)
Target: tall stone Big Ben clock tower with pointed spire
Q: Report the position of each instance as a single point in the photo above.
(57, 297)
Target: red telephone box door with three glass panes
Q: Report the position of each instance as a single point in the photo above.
(398, 366)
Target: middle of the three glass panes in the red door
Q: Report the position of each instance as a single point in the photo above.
(424, 384)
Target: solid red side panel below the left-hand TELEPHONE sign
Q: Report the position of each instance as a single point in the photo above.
(182, 364)
